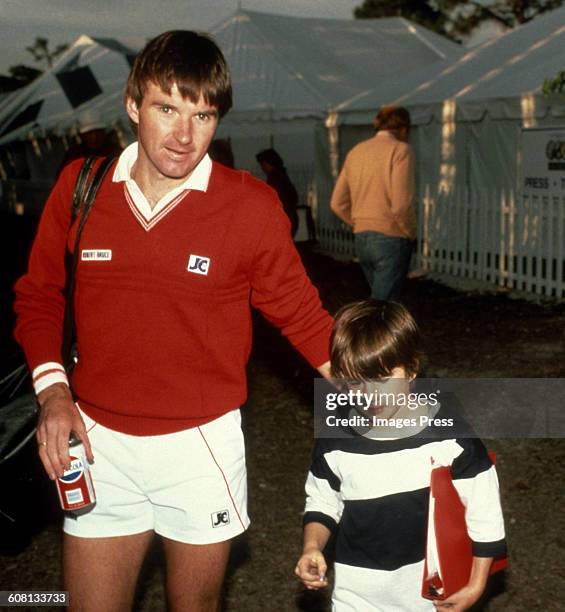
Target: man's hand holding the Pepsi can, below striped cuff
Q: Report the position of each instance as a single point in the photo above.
(58, 418)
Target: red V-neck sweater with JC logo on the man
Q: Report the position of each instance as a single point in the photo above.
(161, 347)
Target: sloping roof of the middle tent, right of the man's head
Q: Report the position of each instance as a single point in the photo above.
(284, 67)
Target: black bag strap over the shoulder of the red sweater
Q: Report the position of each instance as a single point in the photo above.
(83, 199)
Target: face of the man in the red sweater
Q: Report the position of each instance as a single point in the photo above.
(173, 133)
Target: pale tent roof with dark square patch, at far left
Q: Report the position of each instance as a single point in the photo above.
(84, 86)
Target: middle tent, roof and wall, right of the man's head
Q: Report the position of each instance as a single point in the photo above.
(289, 73)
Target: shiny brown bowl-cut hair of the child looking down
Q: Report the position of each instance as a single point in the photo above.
(372, 337)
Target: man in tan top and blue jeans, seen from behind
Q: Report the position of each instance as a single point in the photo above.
(374, 194)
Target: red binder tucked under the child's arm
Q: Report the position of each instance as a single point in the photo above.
(454, 546)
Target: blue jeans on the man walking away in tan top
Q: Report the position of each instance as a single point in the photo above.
(385, 261)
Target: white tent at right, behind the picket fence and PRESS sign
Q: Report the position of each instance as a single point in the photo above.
(470, 112)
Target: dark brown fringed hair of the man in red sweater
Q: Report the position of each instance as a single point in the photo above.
(188, 59)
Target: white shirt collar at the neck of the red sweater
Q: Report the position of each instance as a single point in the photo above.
(198, 180)
